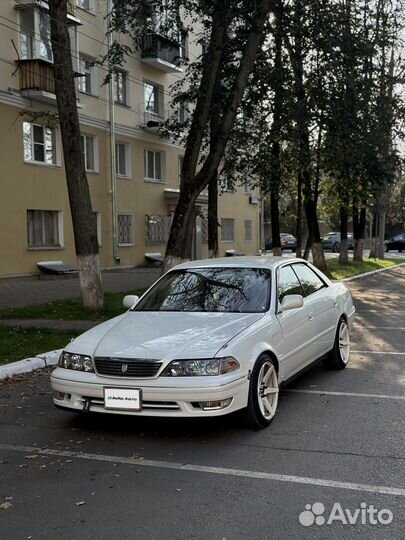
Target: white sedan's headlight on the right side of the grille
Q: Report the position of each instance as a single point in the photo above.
(201, 368)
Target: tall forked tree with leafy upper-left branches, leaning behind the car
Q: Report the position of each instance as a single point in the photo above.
(234, 28)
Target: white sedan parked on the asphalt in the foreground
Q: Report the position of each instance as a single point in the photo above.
(209, 338)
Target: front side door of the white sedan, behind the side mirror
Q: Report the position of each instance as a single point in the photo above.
(296, 347)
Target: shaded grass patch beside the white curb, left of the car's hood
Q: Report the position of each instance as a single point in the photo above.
(20, 343)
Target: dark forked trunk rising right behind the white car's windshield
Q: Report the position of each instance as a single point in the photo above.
(193, 183)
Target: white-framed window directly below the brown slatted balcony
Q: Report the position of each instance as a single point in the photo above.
(39, 143)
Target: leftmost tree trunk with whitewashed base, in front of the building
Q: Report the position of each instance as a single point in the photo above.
(83, 217)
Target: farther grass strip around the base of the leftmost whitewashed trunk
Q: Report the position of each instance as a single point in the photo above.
(70, 310)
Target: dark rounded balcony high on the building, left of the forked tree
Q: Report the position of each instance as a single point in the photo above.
(162, 53)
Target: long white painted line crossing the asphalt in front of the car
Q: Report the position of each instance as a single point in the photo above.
(385, 490)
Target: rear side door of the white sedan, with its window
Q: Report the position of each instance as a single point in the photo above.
(321, 307)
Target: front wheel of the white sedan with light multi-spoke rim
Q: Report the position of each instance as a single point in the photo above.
(261, 409)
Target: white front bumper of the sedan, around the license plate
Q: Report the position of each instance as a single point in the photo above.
(173, 398)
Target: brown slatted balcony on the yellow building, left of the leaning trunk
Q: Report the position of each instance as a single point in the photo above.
(37, 80)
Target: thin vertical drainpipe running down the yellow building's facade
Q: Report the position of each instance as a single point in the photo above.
(113, 172)
